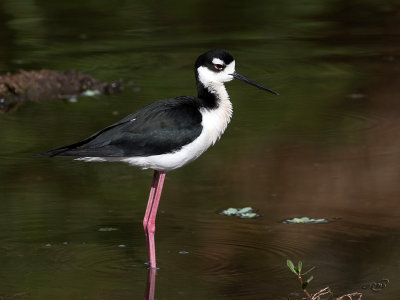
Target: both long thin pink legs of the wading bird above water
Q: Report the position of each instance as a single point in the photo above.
(151, 213)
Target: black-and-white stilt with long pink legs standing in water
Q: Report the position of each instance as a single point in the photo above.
(167, 134)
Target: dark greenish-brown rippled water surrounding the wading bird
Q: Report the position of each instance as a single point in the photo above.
(328, 147)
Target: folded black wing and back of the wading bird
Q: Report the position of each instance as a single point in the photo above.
(161, 127)
